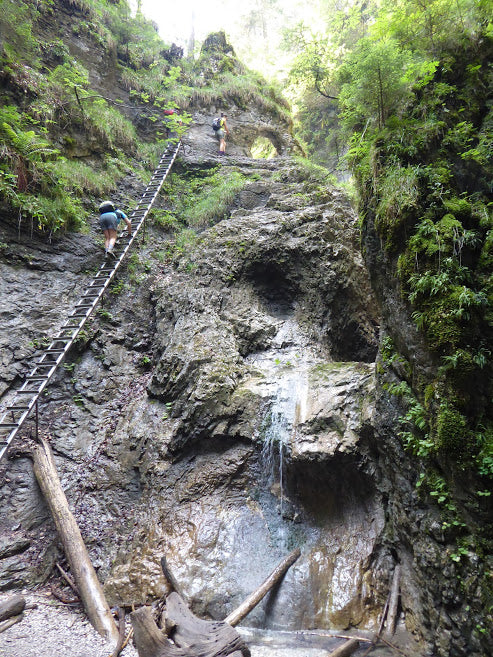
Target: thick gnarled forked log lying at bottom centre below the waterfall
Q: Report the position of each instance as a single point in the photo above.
(188, 636)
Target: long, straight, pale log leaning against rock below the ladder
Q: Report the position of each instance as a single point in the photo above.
(90, 590)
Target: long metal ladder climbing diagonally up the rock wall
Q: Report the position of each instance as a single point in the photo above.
(25, 398)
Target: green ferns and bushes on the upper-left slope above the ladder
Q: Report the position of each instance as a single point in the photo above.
(49, 111)
